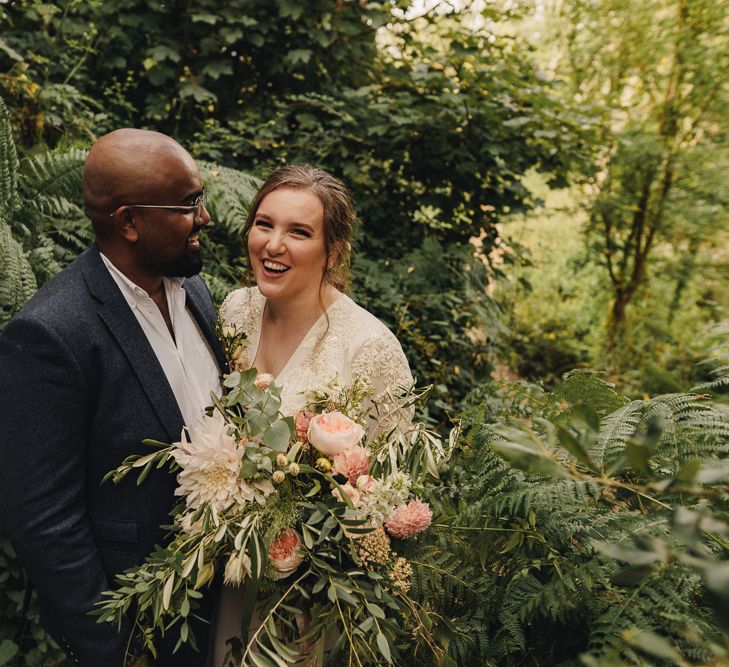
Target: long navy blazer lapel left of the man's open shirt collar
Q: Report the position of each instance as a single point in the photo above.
(127, 332)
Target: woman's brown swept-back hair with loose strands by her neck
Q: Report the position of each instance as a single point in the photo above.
(339, 215)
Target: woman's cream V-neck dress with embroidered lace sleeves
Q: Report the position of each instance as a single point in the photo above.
(353, 343)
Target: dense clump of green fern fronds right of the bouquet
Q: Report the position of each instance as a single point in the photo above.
(572, 540)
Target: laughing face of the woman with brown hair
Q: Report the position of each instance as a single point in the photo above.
(286, 244)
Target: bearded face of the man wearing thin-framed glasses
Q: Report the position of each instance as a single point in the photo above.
(169, 240)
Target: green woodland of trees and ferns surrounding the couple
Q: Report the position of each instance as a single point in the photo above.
(541, 187)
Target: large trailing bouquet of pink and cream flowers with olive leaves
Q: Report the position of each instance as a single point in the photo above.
(306, 514)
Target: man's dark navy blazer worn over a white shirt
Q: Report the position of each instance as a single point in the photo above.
(80, 388)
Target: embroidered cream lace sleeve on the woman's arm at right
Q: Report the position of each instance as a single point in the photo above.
(382, 361)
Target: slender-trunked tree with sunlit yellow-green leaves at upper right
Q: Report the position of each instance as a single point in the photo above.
(664, 122)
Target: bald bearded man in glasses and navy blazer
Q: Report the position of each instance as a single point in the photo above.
(117, 348)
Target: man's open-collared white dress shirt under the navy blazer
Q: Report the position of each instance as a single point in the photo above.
(186, 359)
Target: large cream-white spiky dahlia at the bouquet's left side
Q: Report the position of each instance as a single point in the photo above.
(210, 459)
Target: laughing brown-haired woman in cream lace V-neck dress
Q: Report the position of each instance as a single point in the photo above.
(302, 328)
